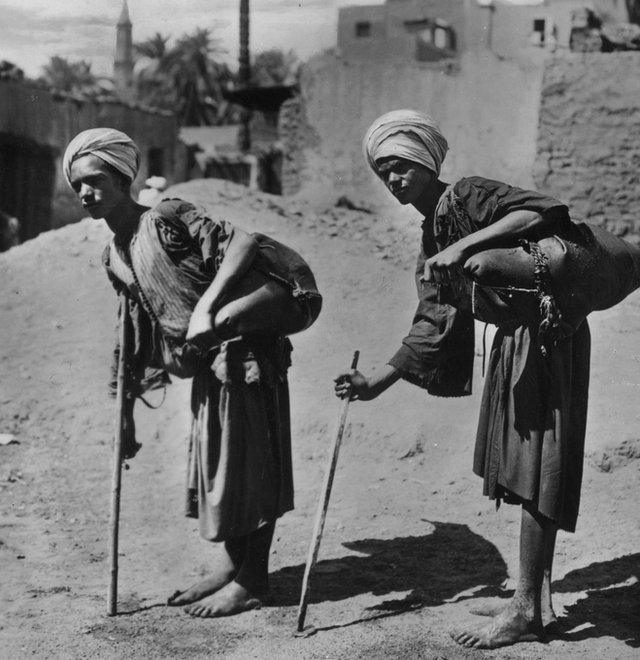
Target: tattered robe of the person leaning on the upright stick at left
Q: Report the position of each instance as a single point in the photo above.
(240, 473)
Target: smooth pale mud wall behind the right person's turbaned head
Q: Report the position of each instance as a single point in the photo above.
(487, 108)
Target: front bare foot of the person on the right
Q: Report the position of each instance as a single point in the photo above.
(509, 627)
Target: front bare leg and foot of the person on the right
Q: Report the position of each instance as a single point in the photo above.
(521, 620)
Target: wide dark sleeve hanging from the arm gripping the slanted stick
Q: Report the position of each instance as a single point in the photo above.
(437, 354)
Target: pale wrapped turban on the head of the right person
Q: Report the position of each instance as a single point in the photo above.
(406, 134)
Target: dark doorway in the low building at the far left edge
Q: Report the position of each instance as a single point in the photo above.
(27, 175)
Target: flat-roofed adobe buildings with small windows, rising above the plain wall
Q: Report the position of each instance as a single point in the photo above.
(432, 30)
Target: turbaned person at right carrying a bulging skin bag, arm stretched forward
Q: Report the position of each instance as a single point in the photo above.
(530, 439)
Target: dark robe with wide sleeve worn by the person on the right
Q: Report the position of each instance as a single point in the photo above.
(530, 439)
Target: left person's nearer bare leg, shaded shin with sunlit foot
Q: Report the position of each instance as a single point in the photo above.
(250, 584)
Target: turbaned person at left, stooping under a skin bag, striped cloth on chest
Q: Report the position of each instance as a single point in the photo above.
(206, 301)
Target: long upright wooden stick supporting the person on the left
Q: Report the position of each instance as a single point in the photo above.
(112, 600)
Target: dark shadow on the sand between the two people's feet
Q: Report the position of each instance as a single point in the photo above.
(434, 568)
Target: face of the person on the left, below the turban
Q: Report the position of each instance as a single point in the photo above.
(99, 190)
